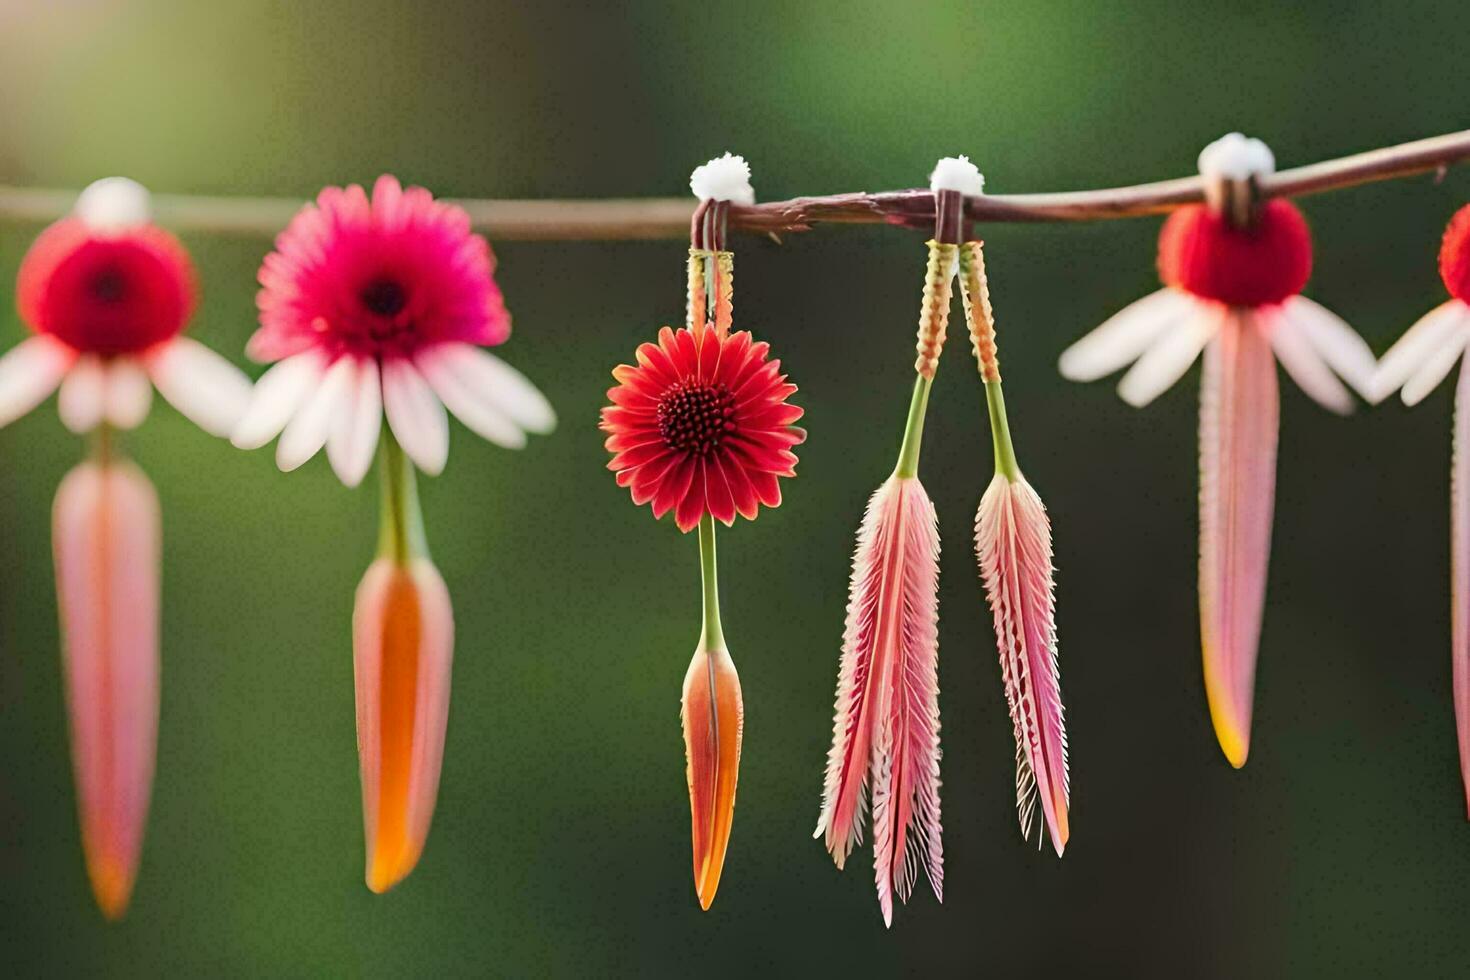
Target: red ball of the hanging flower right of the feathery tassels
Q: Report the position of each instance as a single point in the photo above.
(1266, 264)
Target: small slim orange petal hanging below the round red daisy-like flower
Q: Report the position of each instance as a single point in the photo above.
(714, 718)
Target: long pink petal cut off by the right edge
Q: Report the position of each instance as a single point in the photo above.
(1460, 574)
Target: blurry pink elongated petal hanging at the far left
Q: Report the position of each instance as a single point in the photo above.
(107, 538)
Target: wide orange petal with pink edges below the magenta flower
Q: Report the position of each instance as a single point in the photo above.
(404, 644)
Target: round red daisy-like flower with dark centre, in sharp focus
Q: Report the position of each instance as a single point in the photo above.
(702, 427)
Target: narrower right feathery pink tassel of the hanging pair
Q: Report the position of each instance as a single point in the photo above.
(1014, 546)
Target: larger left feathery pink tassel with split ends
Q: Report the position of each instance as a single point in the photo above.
(886, 737)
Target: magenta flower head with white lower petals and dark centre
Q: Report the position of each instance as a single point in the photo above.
(376, 308)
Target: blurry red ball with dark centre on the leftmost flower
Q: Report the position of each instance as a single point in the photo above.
(108, 295)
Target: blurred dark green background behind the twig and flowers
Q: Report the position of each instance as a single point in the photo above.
(561, 844)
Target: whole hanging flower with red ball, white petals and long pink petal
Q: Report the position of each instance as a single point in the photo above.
(1233, 293)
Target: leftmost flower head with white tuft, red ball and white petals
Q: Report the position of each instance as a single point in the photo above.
(108, 296)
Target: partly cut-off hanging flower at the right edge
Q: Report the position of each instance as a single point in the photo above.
(1418, 364)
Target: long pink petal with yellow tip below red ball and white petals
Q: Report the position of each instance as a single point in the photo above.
(1238, 428)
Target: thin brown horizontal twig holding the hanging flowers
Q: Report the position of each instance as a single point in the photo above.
(670, 218)
